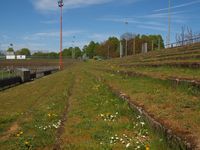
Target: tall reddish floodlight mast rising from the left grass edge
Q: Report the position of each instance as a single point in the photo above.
(61, 4)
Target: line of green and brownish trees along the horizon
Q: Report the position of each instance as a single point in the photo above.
(110, 48)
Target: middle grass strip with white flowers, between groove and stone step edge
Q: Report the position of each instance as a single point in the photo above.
(97, 119)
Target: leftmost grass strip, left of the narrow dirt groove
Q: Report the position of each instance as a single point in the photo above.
(30, 113)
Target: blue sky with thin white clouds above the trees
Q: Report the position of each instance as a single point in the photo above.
(35, 24)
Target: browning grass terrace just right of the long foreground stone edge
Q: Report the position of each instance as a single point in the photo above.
(172, 106)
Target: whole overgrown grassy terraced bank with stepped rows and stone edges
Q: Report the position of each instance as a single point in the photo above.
(139, 102)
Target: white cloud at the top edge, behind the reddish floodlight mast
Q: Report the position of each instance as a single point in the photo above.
(51, 5)
